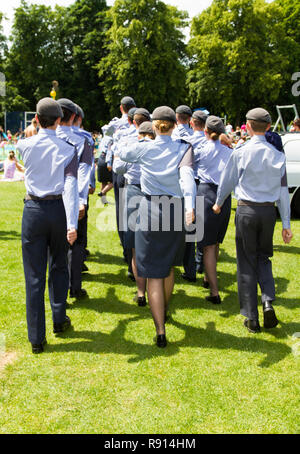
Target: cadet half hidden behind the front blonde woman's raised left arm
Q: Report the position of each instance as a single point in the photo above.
(132, 175)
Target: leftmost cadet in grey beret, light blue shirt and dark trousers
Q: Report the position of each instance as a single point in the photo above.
(51, 169)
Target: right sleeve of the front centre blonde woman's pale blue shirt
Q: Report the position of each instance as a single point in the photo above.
(187, 180)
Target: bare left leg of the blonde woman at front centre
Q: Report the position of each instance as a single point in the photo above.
(157, 303)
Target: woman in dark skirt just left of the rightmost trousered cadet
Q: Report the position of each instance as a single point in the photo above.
(213, 157)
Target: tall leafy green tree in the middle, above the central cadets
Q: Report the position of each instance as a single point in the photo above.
(145, 54)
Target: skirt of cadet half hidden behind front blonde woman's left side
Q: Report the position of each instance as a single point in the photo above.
(133, 194)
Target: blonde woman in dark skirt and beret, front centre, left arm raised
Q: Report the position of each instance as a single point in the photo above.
(166, 178)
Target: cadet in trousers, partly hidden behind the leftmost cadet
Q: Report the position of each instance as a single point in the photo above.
(85, 160)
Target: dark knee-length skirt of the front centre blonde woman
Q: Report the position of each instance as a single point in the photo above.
(160, 238)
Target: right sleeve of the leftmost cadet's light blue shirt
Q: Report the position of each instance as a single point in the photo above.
(70, 194)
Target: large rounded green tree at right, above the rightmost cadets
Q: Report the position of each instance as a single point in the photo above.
(235, 58)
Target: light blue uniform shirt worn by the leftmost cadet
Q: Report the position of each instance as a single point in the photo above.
(51, 169)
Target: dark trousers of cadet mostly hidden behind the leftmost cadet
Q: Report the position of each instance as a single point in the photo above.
(77, 256)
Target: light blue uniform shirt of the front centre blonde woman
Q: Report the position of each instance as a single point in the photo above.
(160, 173)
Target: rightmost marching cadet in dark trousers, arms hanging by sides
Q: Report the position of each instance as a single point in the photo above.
(257, 173)
